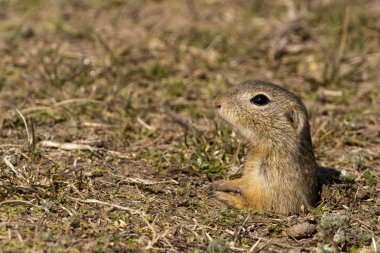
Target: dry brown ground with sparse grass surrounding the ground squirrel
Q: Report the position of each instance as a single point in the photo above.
(129, 87)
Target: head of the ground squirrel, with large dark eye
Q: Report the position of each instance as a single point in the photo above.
(265, 113)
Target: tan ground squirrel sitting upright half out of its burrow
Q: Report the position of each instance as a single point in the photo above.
(280, 169)
